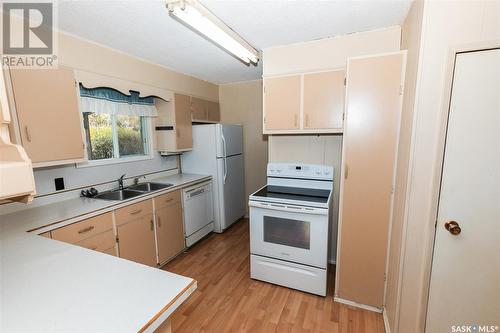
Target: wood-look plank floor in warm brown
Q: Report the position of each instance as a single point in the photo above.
(227, 300)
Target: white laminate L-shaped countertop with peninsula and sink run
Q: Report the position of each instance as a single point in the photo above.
(51, 286)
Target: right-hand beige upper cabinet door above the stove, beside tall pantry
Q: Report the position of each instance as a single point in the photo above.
(324, 100)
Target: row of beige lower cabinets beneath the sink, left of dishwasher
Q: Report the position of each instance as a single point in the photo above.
(138, 237)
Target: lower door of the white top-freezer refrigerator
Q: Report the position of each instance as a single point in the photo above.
(231, 190)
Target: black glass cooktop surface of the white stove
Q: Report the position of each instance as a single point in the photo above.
(293, 194)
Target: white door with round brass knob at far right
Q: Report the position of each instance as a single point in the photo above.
(465, 278)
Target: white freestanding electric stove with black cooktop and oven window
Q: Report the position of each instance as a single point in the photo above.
(289, 226)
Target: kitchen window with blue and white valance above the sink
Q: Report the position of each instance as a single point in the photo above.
(117, 126)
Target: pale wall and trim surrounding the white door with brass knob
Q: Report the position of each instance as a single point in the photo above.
(446, 24)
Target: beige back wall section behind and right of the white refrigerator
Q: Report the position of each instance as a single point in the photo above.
(241, 103)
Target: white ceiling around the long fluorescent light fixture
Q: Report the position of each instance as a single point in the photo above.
(144, 29)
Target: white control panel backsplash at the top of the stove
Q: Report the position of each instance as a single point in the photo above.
(300, 170)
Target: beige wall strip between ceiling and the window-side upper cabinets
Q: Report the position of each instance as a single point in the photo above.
(90, 57)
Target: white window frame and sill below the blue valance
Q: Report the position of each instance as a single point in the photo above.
(147, 126)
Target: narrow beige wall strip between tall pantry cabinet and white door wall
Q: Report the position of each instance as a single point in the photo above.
(410, 40)
